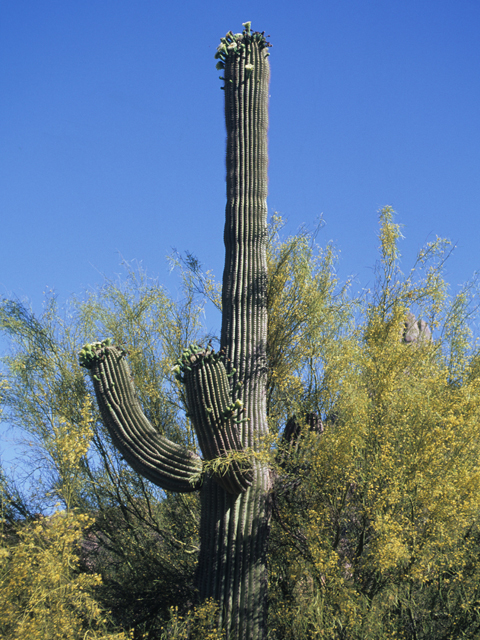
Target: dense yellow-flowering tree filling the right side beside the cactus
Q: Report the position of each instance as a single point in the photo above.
(376, 528)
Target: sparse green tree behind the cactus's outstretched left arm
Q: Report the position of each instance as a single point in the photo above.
(146, 540)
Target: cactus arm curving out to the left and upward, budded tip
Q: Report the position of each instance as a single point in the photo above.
(158, 459)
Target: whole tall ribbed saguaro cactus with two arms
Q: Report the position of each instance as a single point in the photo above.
(225, 391)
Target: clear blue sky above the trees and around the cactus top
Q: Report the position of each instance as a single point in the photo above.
(112, 134)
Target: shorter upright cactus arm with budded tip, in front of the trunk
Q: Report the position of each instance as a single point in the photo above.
(214, 414)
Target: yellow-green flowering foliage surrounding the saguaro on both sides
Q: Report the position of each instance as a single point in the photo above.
(375, 530)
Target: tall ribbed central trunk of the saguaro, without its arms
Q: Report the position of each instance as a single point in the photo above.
(234, 529)
